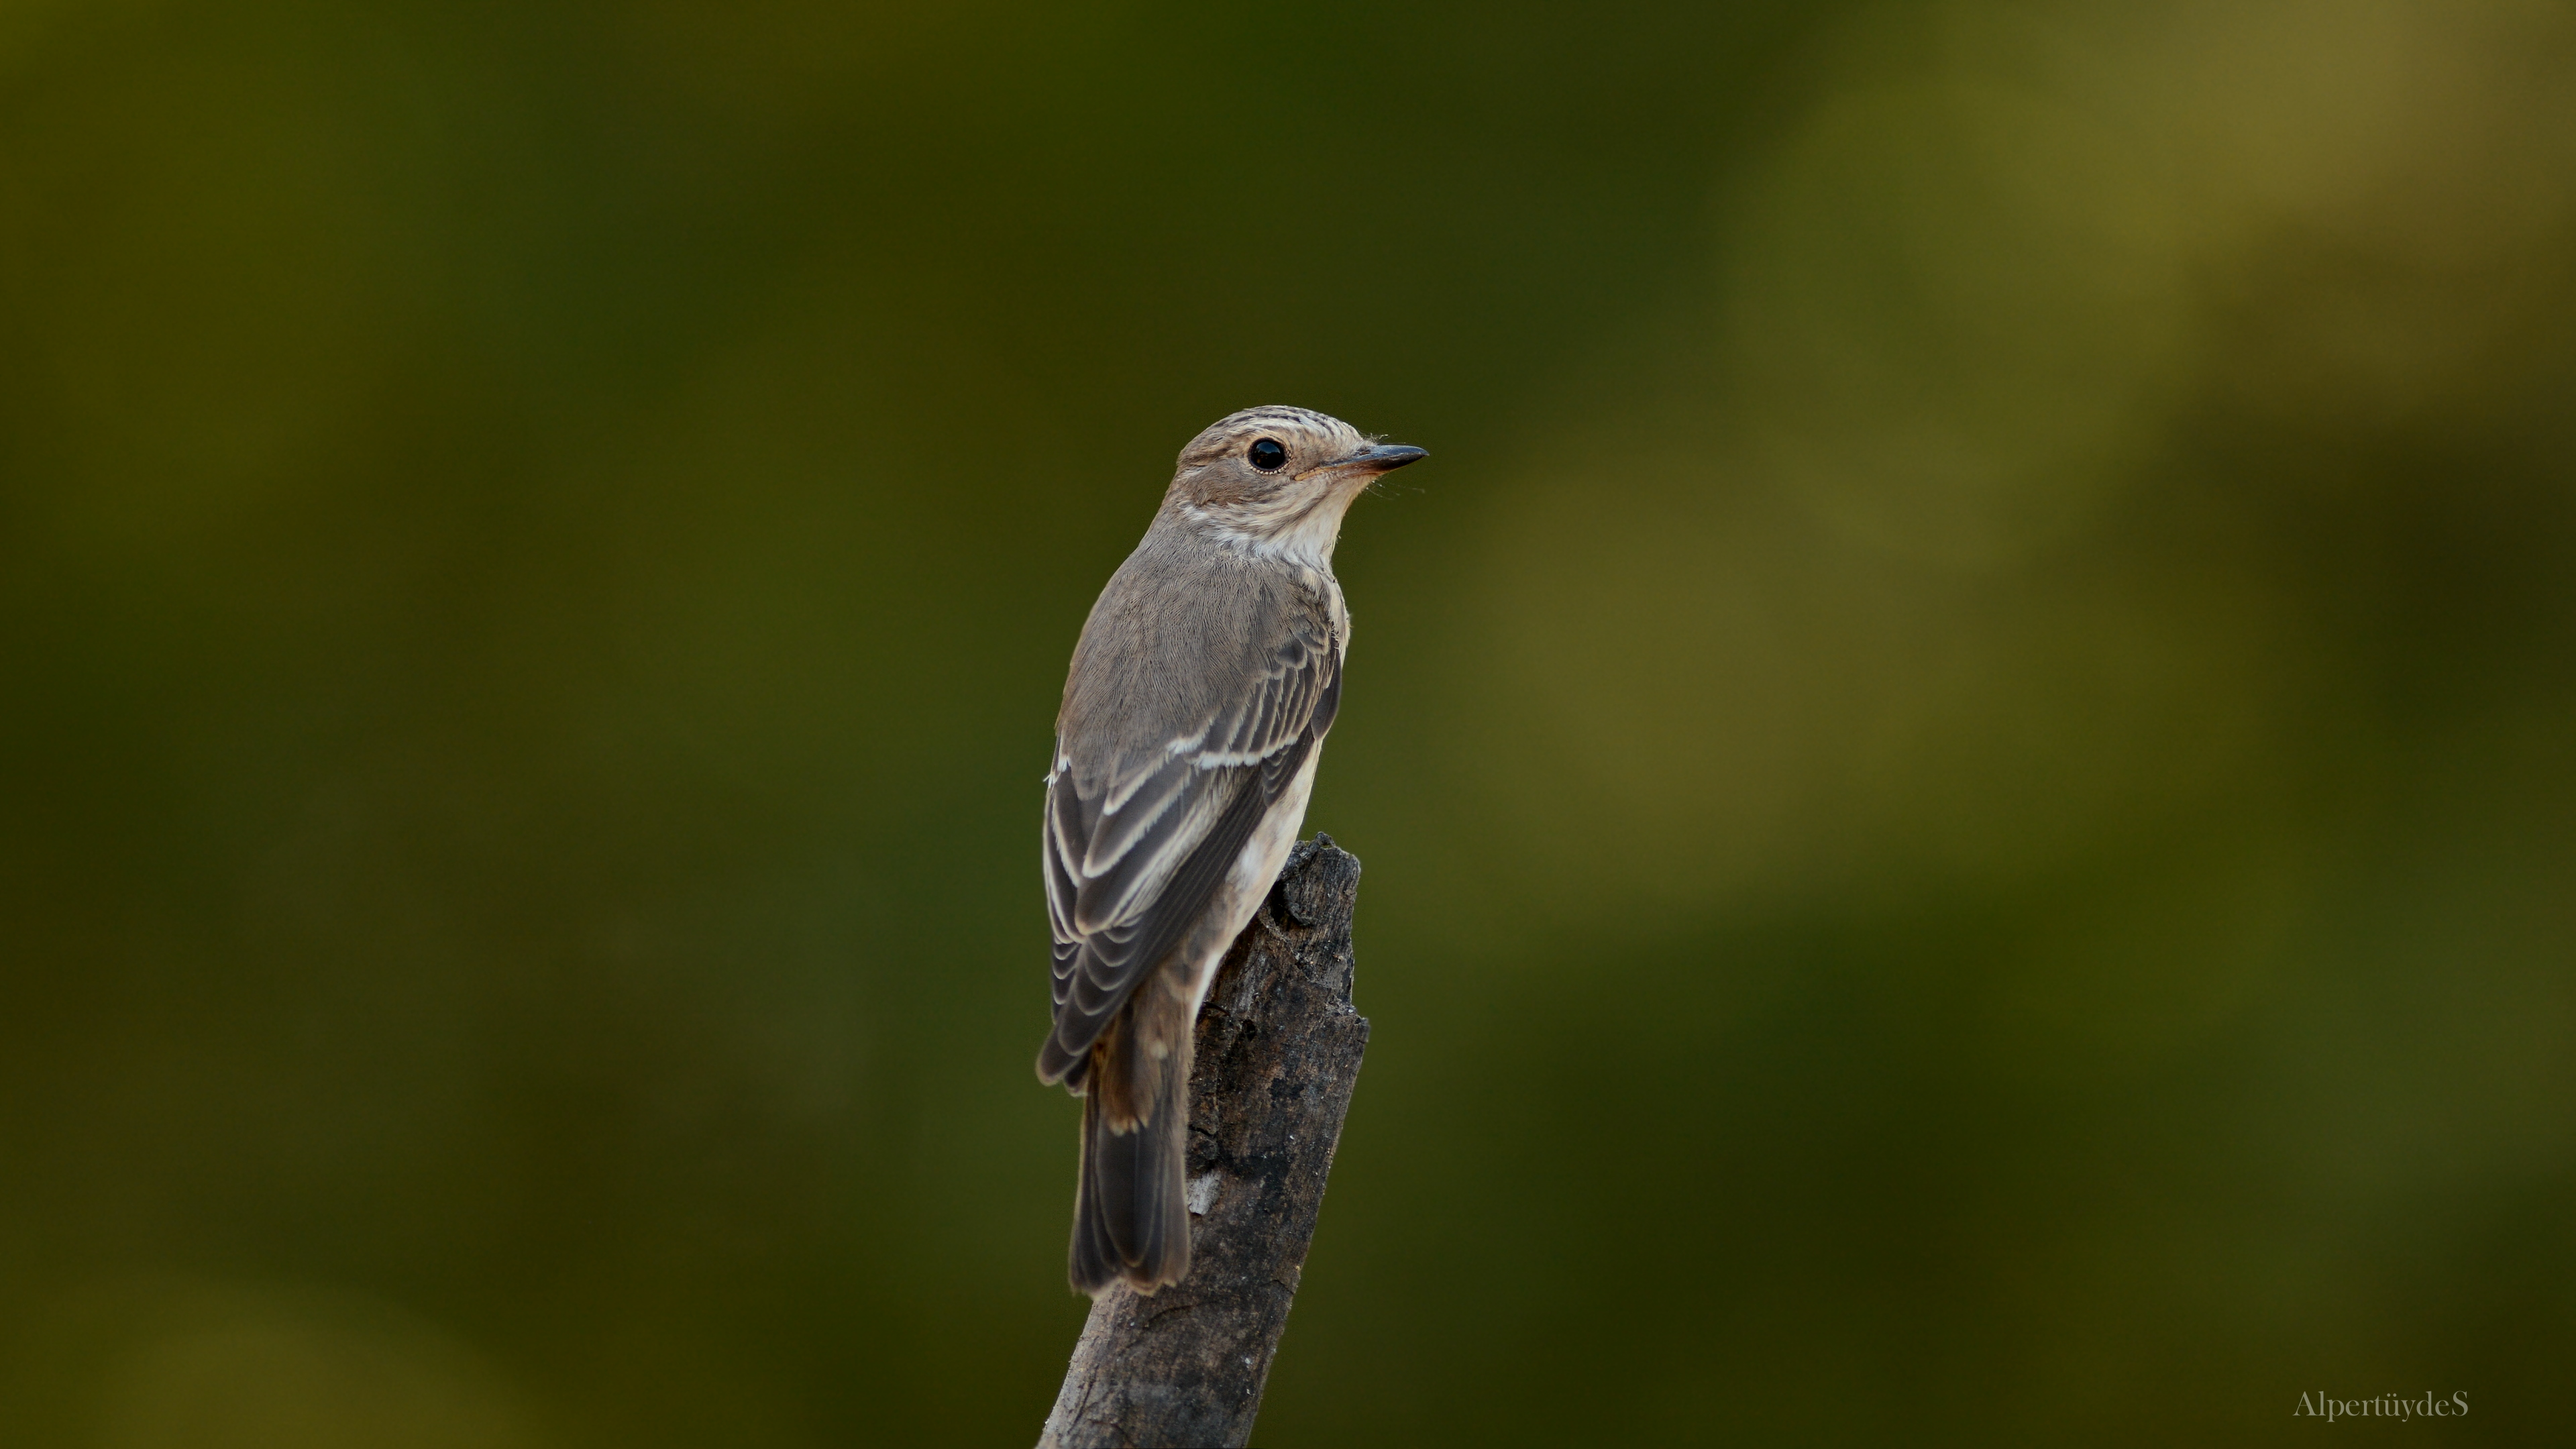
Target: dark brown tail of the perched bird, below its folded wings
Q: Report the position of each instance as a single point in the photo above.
(1132, 1216)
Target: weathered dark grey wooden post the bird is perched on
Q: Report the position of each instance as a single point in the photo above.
(1276, 1056)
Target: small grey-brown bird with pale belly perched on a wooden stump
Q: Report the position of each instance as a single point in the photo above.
(1191, 726)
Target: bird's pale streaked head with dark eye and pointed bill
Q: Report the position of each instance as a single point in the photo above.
(1279, 478)
